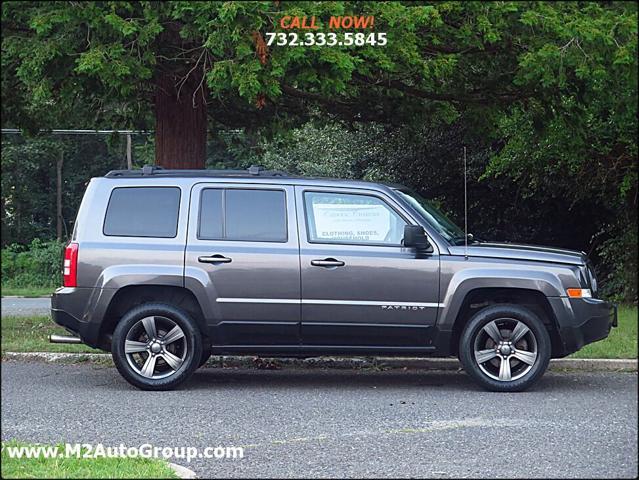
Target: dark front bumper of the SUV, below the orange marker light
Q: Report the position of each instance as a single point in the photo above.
(582, 321)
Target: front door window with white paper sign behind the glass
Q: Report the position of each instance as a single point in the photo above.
(352, 219)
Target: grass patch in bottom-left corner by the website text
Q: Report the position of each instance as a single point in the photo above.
(80, 467)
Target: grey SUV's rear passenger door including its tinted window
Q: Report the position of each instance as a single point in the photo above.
(243, 252)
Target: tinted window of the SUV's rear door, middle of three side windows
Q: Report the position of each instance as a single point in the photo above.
(243, 215)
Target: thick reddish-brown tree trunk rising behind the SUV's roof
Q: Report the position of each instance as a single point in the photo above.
(180, 122)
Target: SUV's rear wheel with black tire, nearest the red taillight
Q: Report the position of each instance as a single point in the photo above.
(190, 344)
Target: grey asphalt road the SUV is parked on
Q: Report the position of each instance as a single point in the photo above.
(339, 423)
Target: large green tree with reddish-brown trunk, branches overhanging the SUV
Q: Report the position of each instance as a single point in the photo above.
(192, 61)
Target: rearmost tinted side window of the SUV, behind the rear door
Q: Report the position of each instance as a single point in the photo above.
(143, 212)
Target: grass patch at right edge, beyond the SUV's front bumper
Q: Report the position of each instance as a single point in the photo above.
(622, 341)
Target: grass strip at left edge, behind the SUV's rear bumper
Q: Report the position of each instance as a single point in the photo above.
(31, 334)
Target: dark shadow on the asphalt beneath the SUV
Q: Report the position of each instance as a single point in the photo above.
(303, 379)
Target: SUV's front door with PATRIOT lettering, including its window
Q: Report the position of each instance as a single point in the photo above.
(360, 287)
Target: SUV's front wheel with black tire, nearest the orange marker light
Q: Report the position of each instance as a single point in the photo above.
(506, 317)
